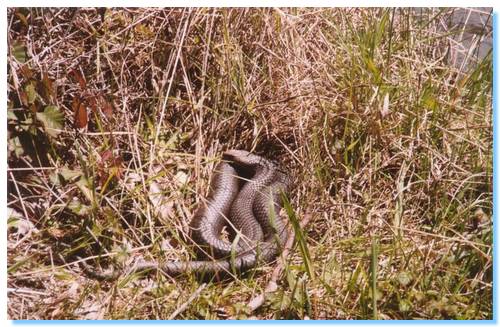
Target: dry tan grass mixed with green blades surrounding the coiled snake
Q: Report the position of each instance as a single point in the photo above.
(388, 144)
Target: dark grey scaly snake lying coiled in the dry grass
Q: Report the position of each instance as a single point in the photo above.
(246, 194)
